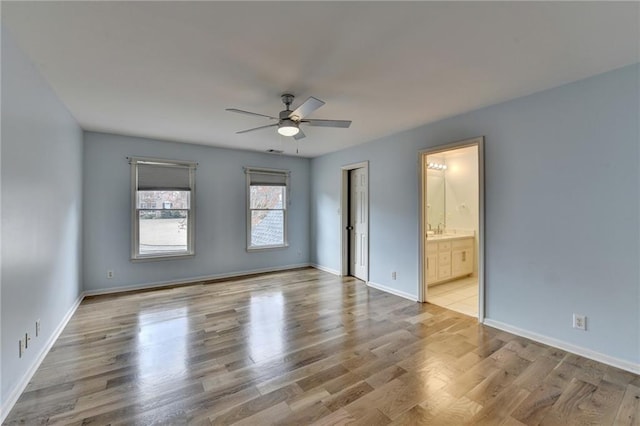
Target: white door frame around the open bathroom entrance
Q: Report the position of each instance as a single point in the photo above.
(479, 142)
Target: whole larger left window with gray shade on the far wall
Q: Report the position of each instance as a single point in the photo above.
(163, 215)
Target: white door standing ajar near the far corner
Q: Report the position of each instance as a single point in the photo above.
(358, 224)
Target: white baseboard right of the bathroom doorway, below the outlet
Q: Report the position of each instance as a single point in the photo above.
(578, 350)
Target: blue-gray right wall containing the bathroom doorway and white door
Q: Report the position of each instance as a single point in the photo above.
(562, 209)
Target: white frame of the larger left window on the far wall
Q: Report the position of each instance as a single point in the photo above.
(135, 211)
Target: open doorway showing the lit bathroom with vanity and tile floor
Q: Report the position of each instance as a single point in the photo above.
(451, 247)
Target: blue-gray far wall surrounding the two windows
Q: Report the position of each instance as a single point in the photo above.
(220, 213)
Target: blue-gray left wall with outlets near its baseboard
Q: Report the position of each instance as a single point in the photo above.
(41, 213)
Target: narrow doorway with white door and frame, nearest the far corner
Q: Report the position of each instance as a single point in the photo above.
(355, 221)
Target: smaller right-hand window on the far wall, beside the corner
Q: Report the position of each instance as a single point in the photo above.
(267, 199)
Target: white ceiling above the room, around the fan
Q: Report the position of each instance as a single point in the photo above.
(168, 70)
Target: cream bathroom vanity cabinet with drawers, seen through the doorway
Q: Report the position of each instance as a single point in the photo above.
(449, 259)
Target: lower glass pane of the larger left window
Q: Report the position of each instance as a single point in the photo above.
(163, 231)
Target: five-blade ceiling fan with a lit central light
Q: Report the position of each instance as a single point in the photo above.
(289, 121)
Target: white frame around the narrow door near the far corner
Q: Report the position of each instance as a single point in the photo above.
(344, 217)
